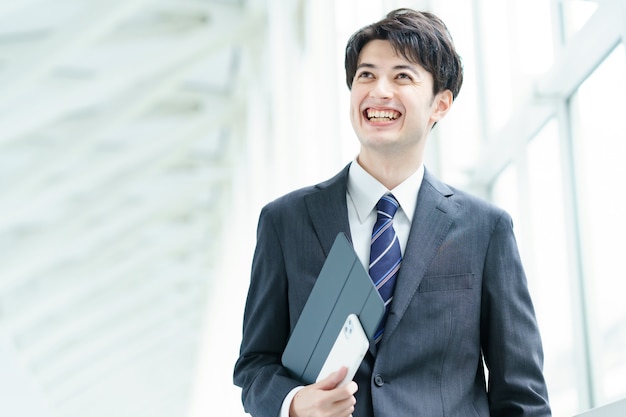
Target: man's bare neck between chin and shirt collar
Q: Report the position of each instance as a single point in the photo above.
(390, 171)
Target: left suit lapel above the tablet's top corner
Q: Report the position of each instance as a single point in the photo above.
(328, 211)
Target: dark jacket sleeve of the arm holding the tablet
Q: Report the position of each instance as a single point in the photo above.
(258, 370)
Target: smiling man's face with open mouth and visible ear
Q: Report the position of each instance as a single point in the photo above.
(392, 106)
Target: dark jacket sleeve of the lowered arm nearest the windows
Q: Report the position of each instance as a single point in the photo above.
(510, 336)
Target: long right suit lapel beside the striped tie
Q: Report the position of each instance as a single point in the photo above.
(432, 219)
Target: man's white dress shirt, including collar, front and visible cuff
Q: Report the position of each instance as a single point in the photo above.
(363, 194)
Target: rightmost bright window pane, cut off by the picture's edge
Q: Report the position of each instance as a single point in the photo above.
(600, 155)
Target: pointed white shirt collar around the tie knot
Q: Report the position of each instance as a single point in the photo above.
(365, 191)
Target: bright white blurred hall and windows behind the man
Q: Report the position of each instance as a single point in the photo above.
(140, 138)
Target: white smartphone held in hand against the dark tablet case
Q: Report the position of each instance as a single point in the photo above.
(348, 350)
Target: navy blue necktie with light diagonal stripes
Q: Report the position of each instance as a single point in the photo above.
(385, 255)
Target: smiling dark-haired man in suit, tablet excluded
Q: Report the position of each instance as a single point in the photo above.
(460, 299)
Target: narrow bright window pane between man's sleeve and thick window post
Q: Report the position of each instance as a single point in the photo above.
(549, 267)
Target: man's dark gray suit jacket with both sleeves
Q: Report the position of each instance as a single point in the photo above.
(461, 300)
